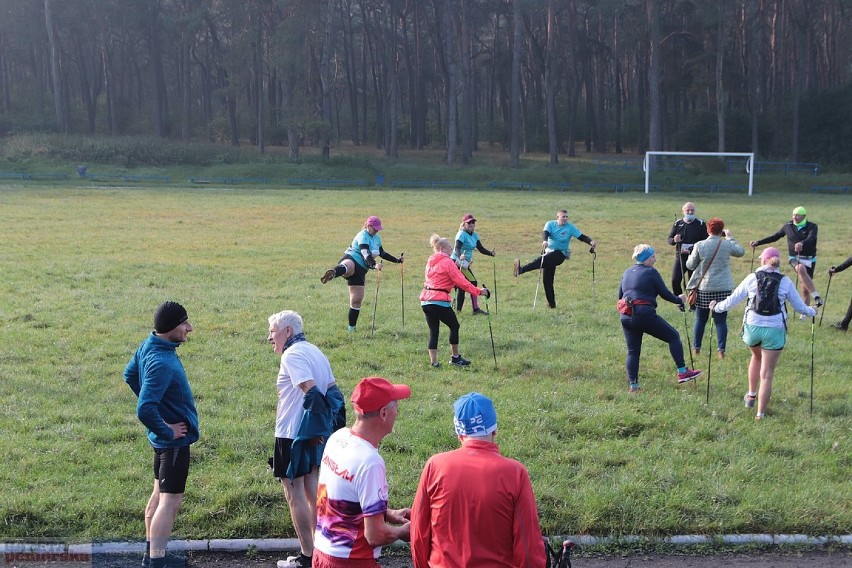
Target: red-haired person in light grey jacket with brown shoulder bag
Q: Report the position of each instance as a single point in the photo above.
(717, 282)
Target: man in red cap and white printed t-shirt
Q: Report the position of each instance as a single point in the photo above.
(353, 519)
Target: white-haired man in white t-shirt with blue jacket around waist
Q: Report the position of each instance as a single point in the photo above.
(310, 408)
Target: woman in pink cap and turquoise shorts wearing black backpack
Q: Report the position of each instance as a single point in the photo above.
(764, 323)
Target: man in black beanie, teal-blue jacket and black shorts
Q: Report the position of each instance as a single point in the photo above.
(167, 409)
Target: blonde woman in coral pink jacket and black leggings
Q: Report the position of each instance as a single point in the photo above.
(442, 276)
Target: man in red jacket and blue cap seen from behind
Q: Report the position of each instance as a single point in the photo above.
(474, 507)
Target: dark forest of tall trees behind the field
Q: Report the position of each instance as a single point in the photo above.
(557, 76)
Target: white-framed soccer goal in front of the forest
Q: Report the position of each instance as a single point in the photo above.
(712, 172)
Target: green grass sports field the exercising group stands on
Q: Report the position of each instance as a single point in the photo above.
(84, 268)
